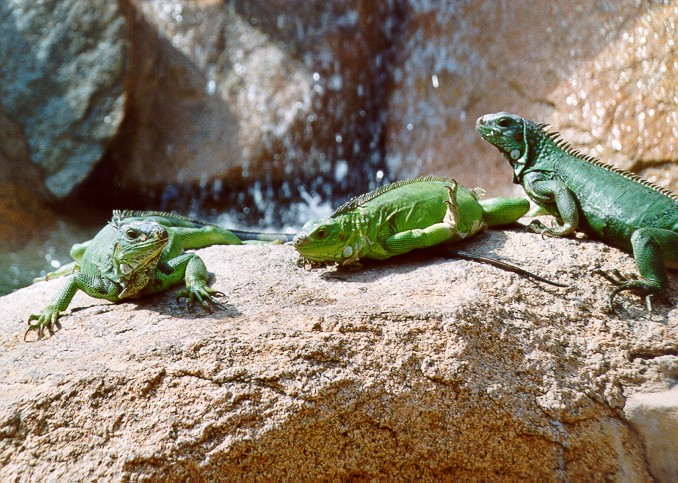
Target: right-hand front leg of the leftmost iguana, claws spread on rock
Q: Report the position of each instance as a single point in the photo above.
(190, 268)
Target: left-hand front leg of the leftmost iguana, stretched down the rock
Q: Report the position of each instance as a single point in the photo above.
(94, 286)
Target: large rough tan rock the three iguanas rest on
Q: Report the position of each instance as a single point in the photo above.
(414, 369)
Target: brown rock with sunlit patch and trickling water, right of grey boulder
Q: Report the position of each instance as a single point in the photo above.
(223, 95)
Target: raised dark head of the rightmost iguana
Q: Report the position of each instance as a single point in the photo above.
(511, 134)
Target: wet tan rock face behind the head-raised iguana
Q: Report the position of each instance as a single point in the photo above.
(603, 73)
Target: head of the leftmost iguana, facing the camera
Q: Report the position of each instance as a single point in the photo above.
(138, 246)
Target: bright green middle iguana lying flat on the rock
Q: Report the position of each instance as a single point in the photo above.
(403, 216)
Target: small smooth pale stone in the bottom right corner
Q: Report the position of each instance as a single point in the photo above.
(655, 417)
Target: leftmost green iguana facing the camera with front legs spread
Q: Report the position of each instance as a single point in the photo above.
(140, 253)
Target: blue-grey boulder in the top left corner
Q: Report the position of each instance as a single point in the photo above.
(63, 66)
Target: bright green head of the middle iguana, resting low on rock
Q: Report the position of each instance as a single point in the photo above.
(327, 240)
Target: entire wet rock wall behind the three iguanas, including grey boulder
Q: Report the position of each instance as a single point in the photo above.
(257, 104)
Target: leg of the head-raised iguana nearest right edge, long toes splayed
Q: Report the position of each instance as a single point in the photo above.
(654, 249)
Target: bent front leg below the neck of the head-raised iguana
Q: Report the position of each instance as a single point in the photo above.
(549, 192)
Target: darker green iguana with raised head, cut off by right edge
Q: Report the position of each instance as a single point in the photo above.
(604, 202)
